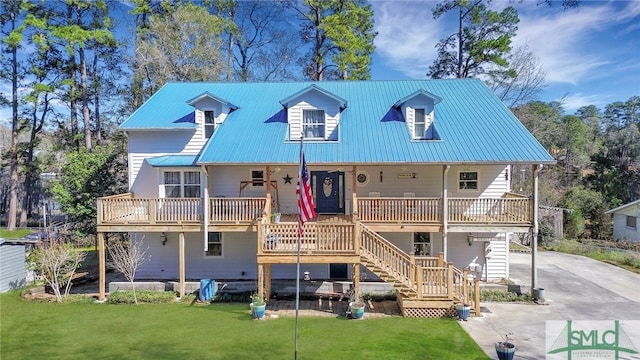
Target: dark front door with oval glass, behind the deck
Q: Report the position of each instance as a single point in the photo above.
(329, 190)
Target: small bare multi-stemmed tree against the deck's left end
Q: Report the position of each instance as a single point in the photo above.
(127, 260)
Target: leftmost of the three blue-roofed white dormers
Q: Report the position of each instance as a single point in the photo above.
(210, 112)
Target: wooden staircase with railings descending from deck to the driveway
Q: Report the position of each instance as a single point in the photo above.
(426, 286)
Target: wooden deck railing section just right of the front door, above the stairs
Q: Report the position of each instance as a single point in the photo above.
(388, 209)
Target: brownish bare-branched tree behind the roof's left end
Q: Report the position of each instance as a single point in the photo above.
(182, 46)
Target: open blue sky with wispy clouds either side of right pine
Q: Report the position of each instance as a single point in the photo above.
(591, 54)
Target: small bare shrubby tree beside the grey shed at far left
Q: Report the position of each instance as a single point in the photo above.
(56, 262)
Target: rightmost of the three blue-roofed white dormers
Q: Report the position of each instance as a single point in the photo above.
(419, 111)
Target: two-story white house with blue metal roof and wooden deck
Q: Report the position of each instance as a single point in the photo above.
(401, 172)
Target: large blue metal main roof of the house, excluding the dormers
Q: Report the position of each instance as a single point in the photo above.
(473, 125)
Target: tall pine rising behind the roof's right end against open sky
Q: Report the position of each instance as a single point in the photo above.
(480, 44)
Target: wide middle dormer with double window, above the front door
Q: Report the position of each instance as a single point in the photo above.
(313, 112)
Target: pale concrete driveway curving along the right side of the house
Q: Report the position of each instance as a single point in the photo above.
(576, 288)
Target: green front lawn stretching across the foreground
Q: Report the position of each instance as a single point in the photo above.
(32, 330)
